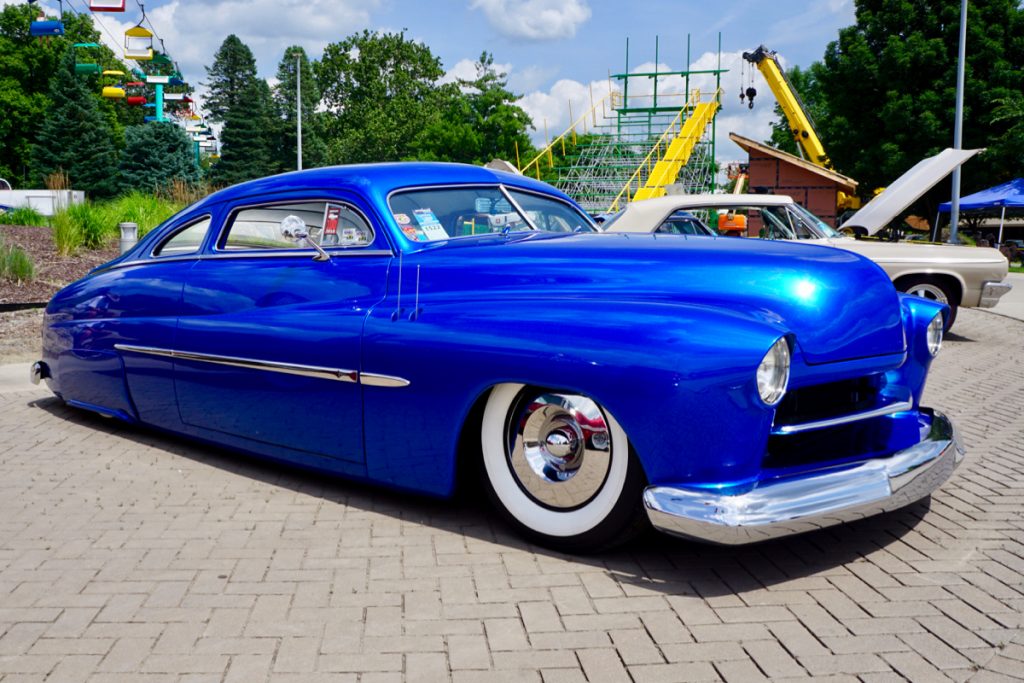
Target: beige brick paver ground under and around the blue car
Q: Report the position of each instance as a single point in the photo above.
(131, 557)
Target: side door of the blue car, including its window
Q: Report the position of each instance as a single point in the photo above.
(269, 343)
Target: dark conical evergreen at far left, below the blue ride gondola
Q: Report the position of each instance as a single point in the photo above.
(76, 138)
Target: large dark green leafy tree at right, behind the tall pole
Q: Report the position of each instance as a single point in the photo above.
(889, 87)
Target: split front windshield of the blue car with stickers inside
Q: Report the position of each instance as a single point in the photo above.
(446, 214)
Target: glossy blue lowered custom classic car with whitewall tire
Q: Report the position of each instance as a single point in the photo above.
(403, 323)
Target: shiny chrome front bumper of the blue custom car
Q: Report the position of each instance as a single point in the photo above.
(823, 499)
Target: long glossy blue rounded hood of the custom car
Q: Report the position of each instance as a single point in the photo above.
(839, 306)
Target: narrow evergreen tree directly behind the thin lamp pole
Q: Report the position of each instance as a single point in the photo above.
(314, 149)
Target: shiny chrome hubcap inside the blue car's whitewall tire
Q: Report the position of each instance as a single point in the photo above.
(560, 449)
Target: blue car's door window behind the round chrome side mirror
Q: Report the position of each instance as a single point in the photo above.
(294, 226)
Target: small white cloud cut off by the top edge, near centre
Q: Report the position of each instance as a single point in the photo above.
(535, 20)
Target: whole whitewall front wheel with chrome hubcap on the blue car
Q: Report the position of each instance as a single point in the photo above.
(559, 466)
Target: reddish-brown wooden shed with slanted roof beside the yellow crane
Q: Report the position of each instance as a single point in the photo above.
(814, 188)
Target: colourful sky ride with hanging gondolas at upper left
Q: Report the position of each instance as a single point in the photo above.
(156, 84)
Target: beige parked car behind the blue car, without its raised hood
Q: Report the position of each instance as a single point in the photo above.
(951, 275)
